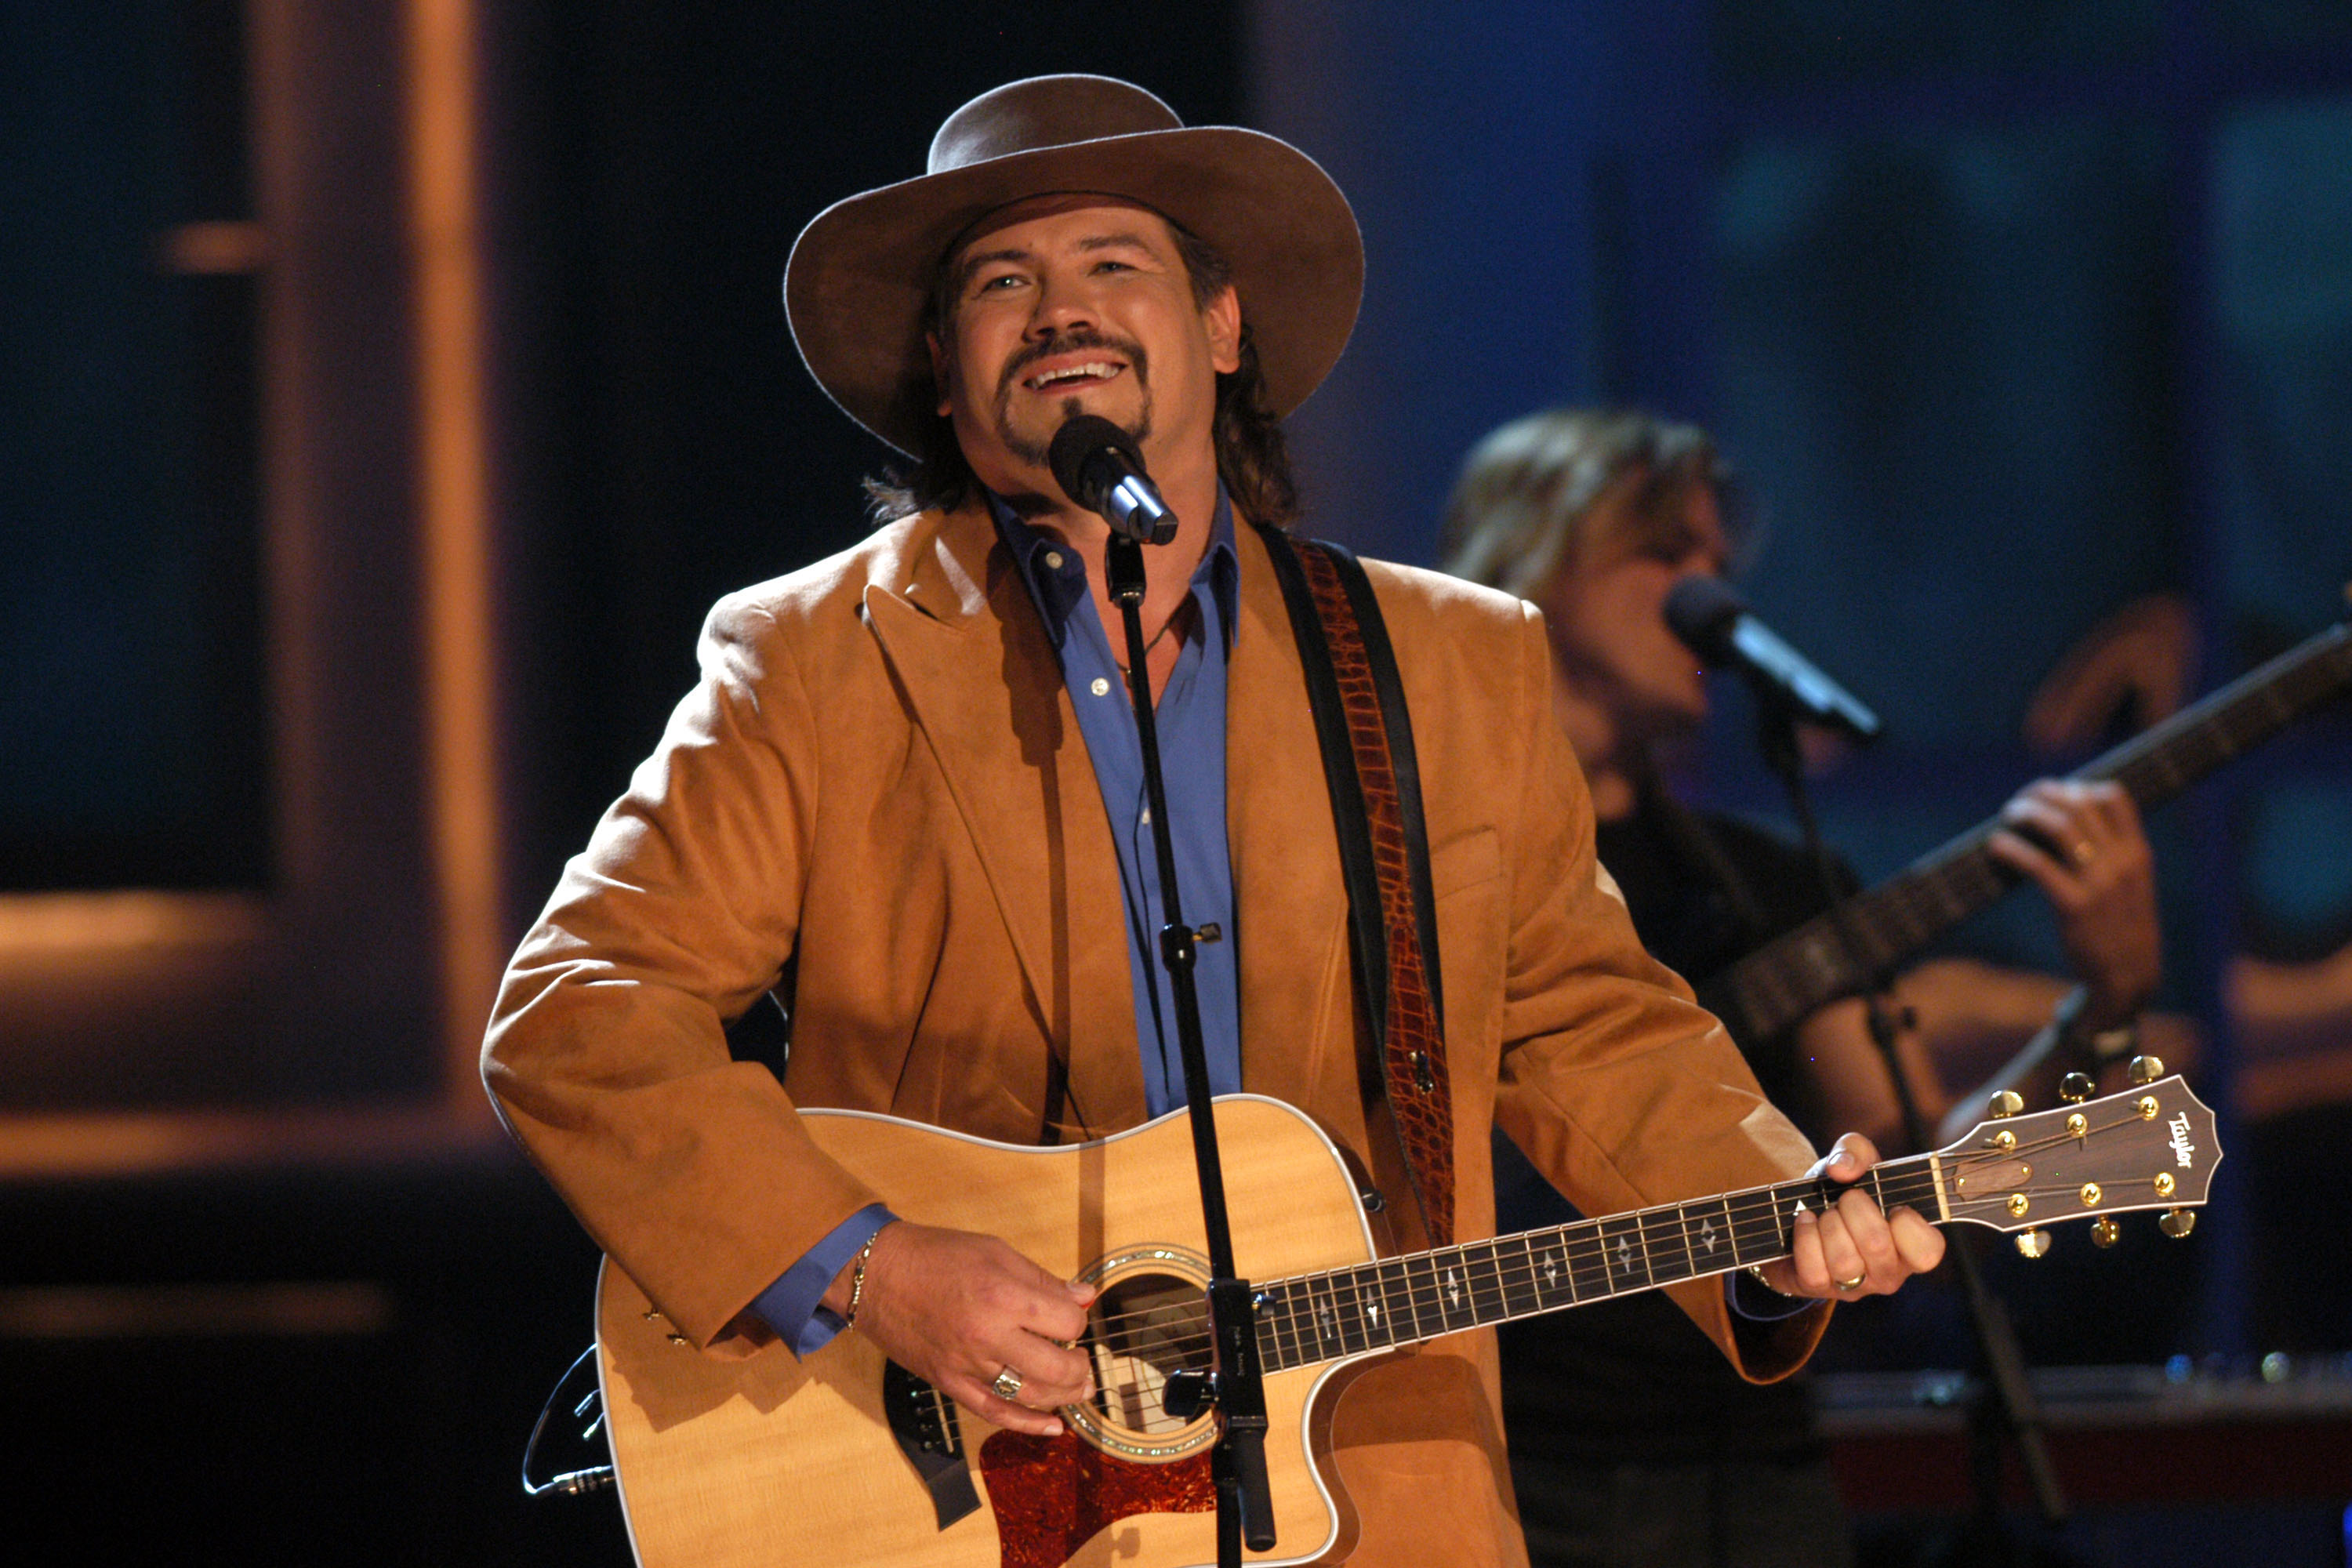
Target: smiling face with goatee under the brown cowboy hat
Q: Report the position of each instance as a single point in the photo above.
(1078, 304)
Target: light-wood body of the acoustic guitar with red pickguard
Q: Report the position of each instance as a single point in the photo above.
(780, 1461)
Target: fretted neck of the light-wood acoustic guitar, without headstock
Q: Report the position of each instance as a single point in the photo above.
(1403, 1301)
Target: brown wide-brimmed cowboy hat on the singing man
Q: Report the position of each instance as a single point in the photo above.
(862, 272)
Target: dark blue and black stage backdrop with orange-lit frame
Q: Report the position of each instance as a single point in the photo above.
(359, 525)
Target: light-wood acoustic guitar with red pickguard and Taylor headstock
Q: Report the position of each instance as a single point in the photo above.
(846, 1459)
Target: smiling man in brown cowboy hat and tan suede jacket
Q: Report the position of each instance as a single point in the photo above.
(907, 800)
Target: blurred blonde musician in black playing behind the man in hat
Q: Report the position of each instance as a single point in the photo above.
(1629, 1442)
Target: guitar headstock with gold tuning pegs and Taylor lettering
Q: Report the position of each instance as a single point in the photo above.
(2146, 1148)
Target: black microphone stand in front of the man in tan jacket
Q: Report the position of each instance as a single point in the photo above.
(1236, 1388)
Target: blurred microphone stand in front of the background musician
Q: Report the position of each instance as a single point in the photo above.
(2007, 1405)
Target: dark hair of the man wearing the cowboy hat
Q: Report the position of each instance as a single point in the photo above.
(1252, 457)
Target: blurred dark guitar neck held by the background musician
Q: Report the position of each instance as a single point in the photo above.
(1833, 958)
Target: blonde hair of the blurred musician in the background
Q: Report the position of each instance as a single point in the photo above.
(1530, 502)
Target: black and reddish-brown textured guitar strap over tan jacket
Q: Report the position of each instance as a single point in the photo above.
(1384, 850)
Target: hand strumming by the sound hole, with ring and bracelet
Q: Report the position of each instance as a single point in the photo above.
(958, 1311)
